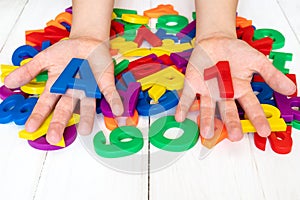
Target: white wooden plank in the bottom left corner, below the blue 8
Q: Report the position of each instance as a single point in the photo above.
(20, 166)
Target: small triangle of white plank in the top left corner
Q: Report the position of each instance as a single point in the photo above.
(10, 13)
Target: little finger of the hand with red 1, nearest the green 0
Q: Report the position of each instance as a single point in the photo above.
(186, 100)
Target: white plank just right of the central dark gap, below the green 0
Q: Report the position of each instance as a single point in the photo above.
(228, 172)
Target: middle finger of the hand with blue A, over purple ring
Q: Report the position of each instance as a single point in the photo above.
(61, 116)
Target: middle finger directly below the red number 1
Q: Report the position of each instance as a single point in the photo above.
(230, 117)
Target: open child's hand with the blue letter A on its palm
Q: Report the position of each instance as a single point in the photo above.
(54, 60)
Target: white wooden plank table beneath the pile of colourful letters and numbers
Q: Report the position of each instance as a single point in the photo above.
(231, 171)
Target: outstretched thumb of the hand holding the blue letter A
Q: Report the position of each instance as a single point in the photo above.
(25, 73)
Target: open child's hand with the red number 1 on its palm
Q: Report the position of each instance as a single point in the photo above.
(244, 61)
